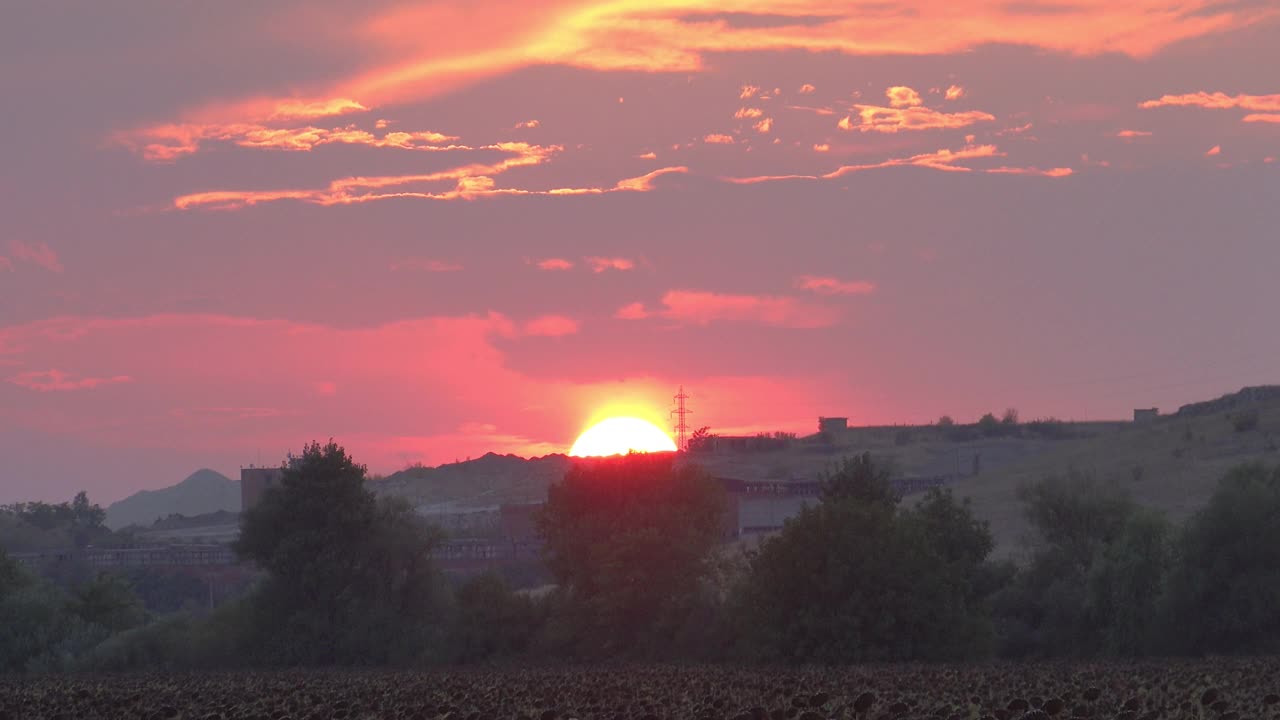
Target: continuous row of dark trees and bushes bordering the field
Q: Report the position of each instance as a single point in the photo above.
(643, 575)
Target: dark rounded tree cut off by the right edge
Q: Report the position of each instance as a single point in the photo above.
(1226, 587)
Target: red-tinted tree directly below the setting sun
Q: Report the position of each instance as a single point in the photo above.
(632, 539)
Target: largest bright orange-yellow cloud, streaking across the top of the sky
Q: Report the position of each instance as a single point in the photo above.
(491, 38)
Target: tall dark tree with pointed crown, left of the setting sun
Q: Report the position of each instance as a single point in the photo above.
(350, 578)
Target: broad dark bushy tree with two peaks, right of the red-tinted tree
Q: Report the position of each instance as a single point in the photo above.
(857, 578)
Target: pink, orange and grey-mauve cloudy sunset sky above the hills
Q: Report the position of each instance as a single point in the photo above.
(435, 230)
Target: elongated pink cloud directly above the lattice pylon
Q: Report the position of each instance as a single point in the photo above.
(703, 308)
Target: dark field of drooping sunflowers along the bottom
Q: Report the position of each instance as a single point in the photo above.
(1215, 690)
